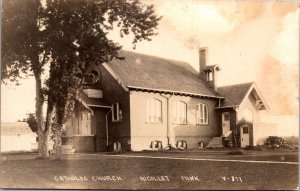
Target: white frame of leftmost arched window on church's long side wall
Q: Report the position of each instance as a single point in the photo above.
(157, 119)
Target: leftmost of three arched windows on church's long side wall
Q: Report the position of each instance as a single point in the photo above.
(154, 114)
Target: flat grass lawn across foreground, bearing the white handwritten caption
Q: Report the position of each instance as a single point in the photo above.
(103, 171)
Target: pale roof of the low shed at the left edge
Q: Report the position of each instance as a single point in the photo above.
(15, 128)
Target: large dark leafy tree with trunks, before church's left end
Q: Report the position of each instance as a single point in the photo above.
(65, 38)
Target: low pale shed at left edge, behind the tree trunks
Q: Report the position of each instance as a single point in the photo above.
(17, 137)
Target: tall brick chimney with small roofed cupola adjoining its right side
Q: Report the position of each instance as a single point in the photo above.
(207, 72)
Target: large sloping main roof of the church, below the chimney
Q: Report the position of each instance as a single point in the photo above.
(144, 72)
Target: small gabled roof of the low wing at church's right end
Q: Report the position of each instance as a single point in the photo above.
(236, 94)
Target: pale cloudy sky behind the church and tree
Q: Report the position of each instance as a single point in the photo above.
(250, 40)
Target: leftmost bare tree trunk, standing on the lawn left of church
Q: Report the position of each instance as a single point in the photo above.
(43, 133)
